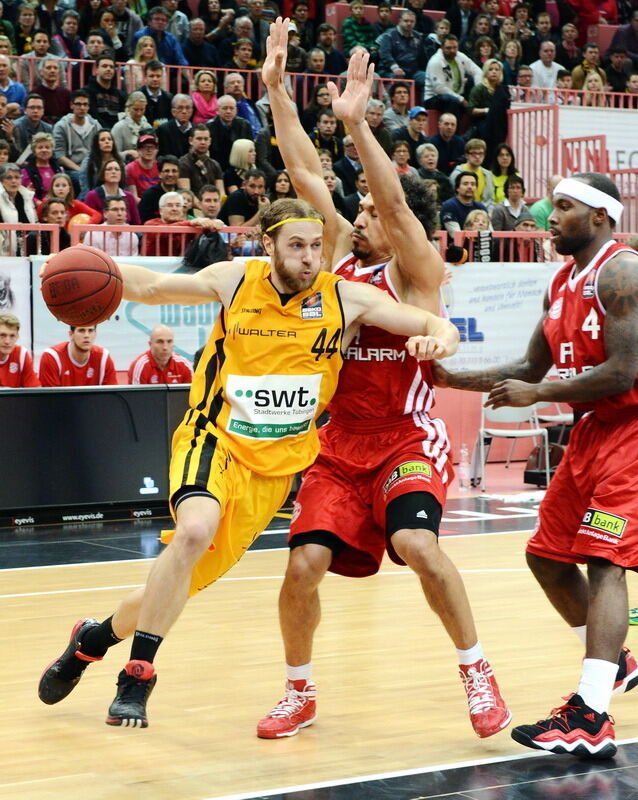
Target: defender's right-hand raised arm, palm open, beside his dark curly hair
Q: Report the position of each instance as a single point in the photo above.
(419, 265)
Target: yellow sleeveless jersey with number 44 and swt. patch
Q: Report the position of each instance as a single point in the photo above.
(268, 370)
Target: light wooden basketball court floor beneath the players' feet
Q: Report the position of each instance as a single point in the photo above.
(392, 714)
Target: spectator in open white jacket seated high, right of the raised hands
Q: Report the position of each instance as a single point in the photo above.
(447, 78)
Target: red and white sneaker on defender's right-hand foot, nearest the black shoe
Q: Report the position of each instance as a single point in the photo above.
(488, 712)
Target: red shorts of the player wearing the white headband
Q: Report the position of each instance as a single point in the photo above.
(589, 509)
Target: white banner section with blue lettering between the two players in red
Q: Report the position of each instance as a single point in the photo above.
(496, 308)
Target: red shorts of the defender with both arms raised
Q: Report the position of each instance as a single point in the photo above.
(347, 489)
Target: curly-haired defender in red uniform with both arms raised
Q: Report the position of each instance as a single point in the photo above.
(381, 477)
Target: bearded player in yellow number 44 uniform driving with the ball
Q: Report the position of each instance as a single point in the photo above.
(268, 370)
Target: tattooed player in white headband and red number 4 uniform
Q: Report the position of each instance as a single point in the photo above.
(588, 516)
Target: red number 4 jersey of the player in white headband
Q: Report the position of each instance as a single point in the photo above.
(574, 328)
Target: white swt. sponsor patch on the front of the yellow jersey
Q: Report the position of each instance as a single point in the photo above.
(271, 406)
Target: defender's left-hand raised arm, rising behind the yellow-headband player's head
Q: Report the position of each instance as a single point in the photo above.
(298, 153)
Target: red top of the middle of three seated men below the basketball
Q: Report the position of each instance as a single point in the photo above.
(58, 368)
